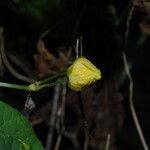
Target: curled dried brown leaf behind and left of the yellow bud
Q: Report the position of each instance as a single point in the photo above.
(46, 63)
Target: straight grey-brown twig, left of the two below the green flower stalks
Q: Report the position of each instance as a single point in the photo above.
(53, 117)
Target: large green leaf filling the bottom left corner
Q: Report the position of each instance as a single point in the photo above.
(15, 131)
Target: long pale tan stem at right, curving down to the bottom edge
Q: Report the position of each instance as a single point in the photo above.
(133, 112)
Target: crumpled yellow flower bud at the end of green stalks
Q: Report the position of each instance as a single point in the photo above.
(82, 73)
